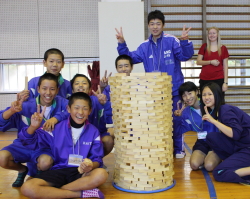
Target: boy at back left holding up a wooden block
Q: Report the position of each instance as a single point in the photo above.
(54, 62)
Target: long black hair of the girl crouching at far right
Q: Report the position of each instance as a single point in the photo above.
(218, 98)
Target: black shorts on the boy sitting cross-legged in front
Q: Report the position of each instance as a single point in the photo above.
(59, 177)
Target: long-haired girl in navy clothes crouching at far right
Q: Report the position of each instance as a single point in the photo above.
(232, 142)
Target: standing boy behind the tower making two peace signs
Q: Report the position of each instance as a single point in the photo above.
(162, 53)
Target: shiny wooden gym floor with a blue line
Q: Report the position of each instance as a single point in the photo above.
(189, 184)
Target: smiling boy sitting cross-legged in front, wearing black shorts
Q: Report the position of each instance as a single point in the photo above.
(71, 141)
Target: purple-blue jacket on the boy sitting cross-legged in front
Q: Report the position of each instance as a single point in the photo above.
(61, 143)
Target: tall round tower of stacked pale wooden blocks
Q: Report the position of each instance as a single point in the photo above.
(142, 117)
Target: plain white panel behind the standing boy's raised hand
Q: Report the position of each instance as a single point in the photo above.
(129, 16)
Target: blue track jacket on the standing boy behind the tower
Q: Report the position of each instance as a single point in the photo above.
(164, 56)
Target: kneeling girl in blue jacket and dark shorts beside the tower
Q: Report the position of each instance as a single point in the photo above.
(190, 119)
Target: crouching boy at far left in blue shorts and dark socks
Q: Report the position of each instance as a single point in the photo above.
(18, 116)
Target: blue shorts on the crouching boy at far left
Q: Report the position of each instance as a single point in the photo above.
(21, 154)
